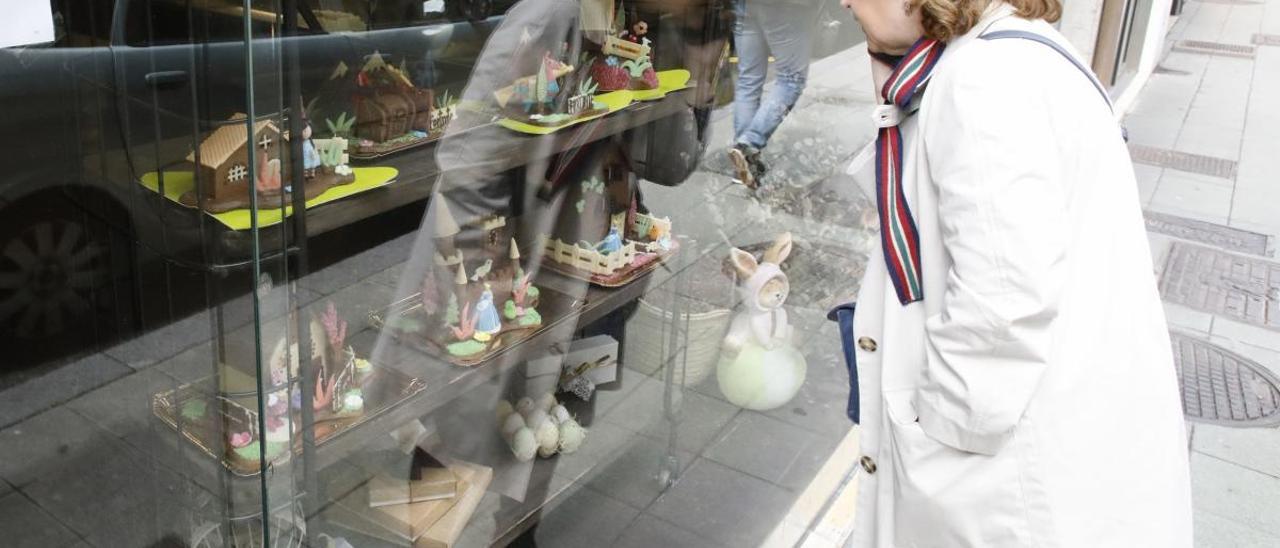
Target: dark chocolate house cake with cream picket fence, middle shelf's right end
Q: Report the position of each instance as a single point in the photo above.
(604, 236)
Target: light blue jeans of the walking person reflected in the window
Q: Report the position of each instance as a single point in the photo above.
(765, 28)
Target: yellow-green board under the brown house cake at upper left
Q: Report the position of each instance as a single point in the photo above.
(177, 184)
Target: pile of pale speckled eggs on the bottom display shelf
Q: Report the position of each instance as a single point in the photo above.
(542, 428)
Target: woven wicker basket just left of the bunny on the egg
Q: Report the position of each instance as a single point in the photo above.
(644, 332)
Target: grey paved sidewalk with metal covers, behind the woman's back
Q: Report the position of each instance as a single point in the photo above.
(1206, 135)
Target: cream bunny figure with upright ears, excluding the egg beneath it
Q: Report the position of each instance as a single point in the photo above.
(764, 289)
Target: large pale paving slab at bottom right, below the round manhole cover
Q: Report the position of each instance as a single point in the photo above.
(1226, 490)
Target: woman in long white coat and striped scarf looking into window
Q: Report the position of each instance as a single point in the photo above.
(1016, 373)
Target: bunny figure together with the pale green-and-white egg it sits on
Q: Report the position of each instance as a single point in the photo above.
(760, 368)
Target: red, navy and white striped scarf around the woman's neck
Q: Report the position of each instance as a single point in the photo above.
(899, 238)
